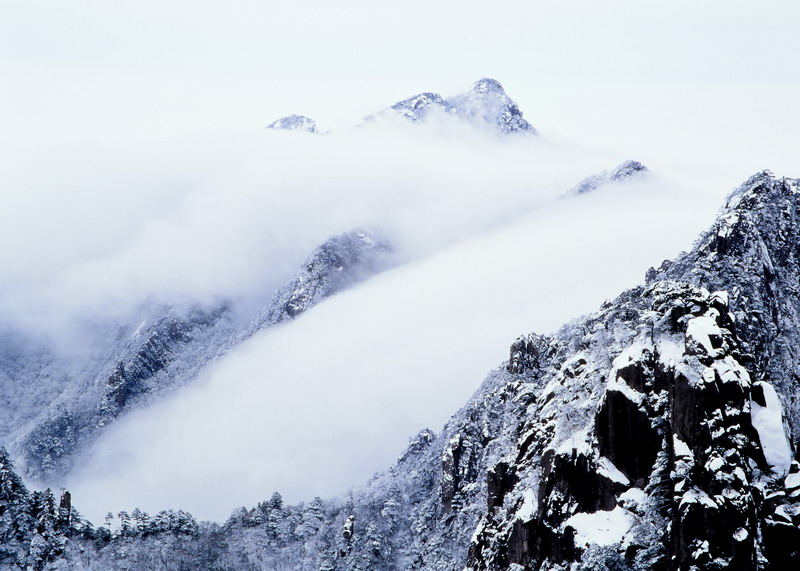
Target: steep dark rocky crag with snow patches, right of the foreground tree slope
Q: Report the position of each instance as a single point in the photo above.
(657, 439)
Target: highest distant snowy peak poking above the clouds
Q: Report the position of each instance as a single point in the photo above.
(485, 105)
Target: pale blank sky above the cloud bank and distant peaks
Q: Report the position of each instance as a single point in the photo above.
(121, 70)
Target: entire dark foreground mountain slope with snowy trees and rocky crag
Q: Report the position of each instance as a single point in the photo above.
(657, 433)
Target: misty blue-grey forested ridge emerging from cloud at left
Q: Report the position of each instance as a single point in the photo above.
(143, 361)
